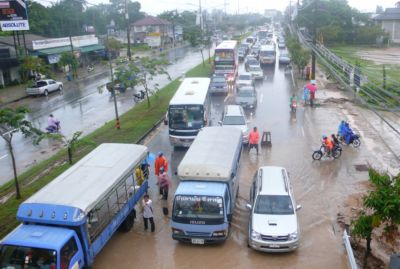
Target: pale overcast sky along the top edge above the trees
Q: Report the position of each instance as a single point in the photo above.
(154, 7)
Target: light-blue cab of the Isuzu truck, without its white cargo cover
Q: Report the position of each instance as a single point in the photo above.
(201, 212)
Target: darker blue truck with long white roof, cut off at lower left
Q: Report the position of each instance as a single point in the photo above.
(67, 222)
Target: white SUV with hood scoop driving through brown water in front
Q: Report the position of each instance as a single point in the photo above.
(273, 224)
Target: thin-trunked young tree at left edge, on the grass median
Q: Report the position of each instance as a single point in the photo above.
(11, 122)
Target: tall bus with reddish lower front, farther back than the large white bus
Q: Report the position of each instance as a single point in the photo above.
(226, 58)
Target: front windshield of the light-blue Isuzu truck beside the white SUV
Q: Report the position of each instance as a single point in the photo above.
(198, 209)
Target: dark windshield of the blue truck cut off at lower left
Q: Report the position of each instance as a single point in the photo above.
(27, 257)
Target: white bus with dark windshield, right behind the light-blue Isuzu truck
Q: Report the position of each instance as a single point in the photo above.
(189, 111)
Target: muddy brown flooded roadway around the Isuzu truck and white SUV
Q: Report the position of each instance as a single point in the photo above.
(321, 187)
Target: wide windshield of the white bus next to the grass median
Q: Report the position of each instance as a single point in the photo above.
(186, 117)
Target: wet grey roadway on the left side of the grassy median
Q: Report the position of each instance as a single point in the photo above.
(82, 107)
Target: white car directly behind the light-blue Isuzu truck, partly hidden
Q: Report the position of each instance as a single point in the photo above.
(234, 116)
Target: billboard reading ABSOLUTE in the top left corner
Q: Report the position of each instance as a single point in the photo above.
(13, 15)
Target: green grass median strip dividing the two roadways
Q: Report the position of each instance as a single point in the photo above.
(134, 124)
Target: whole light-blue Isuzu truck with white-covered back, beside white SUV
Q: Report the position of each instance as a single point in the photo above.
(205, 198)
